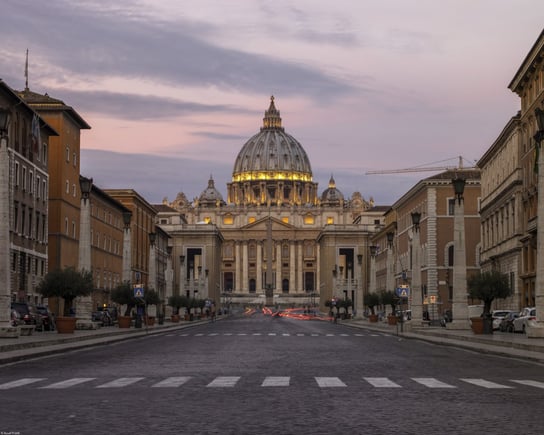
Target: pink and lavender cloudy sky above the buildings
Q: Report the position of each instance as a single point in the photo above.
(174, 88)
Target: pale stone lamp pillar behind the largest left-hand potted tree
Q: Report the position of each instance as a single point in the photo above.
(84, 304)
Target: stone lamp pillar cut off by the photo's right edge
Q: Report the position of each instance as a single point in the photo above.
(537, 331)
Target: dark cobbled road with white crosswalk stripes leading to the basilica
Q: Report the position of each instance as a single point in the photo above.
(263, 375)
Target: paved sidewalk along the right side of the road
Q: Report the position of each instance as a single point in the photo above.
(499, 343)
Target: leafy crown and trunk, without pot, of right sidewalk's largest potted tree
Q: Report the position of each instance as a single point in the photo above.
(488, 286)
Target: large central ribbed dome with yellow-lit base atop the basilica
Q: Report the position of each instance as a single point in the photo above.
(272, 166)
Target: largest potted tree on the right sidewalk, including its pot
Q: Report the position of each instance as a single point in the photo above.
(487, 286)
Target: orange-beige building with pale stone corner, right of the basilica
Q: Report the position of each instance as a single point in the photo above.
(433, 198)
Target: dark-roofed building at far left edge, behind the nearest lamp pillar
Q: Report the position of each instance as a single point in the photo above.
(24, 184)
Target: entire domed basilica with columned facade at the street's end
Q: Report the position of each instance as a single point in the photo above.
(275, 239)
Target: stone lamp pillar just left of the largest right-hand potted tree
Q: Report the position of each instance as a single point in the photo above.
(459, 302)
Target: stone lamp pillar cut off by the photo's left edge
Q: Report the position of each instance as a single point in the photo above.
(6, 330)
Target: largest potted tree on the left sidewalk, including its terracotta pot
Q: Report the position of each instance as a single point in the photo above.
(66, 284)
